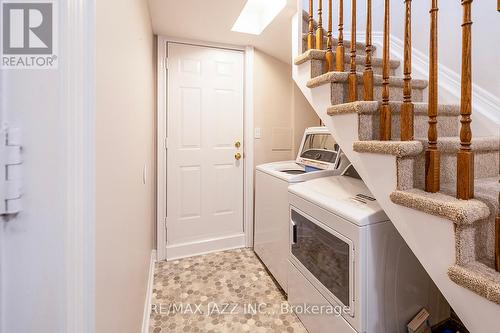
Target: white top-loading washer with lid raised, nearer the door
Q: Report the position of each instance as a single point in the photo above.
(319, 156)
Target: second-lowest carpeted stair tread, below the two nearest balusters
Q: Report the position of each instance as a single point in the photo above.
(442, 205)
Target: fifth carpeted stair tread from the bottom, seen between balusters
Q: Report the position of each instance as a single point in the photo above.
(342, 77)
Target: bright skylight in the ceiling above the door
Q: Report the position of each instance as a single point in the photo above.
(257, 15)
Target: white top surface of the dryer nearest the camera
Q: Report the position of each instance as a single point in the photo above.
(344, 196)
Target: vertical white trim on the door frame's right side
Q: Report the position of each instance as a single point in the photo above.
(248, 195)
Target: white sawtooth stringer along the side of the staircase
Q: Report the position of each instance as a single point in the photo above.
(431, 238)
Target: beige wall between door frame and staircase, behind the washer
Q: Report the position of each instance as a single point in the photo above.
(281, 111)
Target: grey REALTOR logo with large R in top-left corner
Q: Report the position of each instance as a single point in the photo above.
(29, 37)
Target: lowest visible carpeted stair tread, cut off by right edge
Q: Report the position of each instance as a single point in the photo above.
(478, 278)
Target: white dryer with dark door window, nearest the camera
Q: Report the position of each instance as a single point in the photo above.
(346, 254)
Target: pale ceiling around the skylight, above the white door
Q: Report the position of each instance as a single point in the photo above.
(212, 20)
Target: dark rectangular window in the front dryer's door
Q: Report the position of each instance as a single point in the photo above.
(323, 254)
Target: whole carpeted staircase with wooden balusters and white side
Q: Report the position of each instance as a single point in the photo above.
(438, 183)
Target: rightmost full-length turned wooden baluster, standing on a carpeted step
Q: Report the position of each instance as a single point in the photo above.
(465, 157)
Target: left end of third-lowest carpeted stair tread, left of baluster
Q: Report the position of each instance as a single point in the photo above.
(395, 148)
